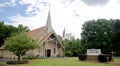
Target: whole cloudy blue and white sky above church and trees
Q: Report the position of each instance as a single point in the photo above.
(68, 14)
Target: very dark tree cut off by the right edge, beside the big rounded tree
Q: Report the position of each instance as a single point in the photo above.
(116, 36)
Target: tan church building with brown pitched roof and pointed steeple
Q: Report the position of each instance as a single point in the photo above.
(49, 43)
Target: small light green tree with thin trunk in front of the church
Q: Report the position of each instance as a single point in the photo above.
(20, 43)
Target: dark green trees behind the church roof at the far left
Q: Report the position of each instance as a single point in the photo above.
(8, 30)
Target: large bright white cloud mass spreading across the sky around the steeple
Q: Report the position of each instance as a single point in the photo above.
(63, 14)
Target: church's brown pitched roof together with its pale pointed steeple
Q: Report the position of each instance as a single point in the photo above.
(43, 33)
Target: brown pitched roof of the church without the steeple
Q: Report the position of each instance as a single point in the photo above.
(41, 35)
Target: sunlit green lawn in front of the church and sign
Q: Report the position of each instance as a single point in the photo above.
(64, 62)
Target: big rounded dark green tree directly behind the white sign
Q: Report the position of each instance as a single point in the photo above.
(97, 34)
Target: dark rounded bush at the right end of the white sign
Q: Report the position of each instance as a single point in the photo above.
(105, 58)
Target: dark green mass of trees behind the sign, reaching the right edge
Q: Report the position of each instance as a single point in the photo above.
(101, 34)
